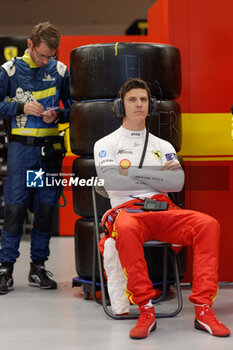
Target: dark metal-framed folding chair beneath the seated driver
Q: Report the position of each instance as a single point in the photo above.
(168, 252)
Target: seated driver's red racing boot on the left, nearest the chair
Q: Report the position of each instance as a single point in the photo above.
(145, 324)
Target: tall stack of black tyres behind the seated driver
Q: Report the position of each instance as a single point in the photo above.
(97, 73)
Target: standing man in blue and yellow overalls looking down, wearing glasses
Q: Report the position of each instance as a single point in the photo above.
(31, 88)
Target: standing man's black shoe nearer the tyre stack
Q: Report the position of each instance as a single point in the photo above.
(39, 277)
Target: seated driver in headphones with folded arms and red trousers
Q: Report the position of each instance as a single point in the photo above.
(117, 158)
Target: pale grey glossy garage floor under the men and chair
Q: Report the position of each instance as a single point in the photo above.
(61, 319)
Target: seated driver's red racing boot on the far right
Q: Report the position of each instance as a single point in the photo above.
(206, 320)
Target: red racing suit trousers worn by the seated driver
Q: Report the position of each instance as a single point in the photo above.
(184, 227)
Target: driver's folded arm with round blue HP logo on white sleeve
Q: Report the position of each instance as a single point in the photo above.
(108, 170)
